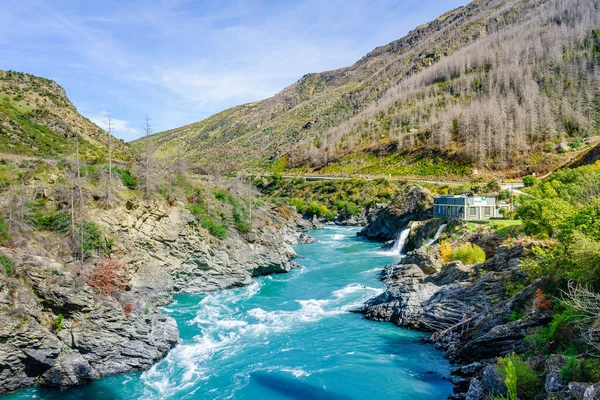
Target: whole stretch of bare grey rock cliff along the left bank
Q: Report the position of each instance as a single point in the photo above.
(58, 329)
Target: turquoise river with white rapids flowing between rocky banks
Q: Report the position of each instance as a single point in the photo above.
(289, 336)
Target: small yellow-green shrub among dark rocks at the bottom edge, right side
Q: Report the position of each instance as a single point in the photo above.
(520, 376)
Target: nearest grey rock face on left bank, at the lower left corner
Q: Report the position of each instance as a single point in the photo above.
(95, 338)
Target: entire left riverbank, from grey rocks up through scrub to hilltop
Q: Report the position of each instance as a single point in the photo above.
(94, 238)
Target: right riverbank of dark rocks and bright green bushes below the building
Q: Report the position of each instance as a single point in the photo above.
(515, 303)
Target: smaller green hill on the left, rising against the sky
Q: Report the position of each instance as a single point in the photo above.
(37, 119)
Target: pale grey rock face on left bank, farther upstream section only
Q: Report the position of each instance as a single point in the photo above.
(168, 253)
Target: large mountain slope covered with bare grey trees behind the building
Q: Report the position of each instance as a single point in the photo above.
(502, 86)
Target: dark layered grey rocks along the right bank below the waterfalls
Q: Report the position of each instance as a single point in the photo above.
(474, 314)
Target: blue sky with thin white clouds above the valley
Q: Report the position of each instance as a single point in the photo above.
(182, 60)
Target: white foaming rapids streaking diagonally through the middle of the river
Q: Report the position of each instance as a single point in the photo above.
(223, 329)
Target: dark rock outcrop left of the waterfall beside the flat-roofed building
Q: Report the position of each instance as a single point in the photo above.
(413, 204)
